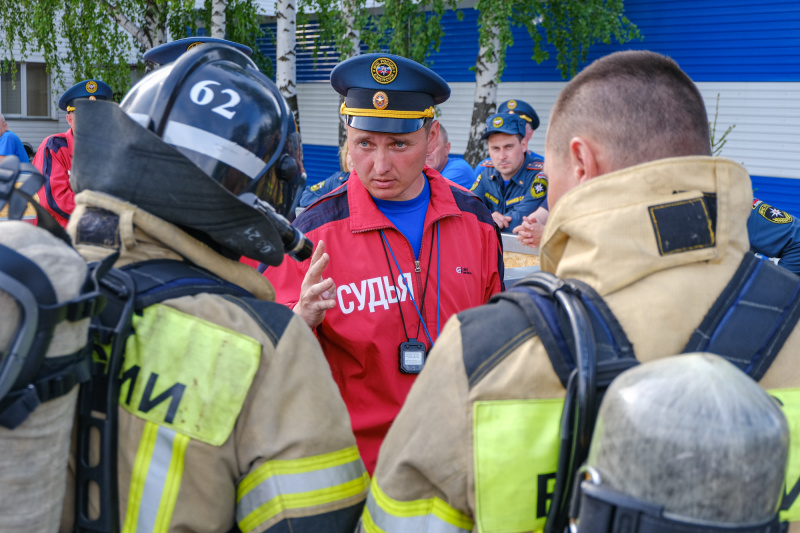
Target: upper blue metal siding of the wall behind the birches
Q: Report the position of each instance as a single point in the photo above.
(731, 40)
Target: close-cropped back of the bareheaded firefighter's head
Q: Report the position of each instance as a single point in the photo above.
(639, 105)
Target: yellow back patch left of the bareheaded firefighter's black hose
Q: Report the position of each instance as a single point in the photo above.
(516, 457)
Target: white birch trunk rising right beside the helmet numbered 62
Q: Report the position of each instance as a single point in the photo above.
(286, 69)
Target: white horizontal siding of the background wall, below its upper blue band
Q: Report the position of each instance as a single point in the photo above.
(766, 138)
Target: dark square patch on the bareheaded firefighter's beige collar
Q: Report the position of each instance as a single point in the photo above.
(682, 226)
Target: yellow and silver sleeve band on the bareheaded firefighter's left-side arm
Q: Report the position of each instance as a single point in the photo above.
(383, 514)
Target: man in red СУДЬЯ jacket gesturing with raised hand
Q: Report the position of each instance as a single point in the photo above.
(405, 248)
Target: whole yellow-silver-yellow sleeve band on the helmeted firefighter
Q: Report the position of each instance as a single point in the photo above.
(277, 486)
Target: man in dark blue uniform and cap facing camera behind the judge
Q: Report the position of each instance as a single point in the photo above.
(512, 188)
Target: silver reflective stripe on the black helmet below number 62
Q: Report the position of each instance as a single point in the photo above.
(206, 143)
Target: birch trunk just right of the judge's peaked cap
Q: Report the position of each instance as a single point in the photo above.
(485, 101)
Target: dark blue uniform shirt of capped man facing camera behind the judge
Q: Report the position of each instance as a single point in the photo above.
(523, 194)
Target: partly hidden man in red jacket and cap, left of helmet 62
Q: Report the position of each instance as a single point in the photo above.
(54, 156)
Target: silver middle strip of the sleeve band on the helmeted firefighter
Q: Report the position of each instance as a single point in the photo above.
(284, 484)
